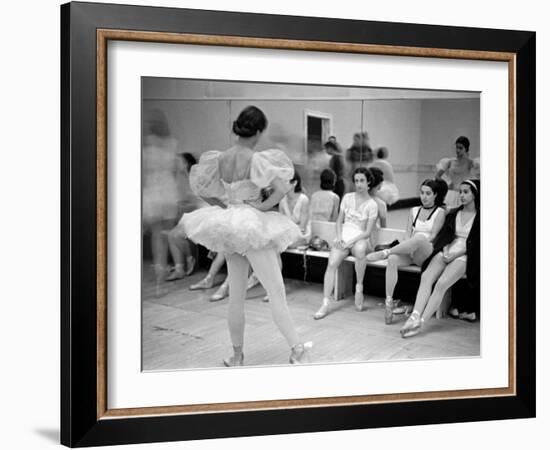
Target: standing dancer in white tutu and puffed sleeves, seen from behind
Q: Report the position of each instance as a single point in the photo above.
(247, 232)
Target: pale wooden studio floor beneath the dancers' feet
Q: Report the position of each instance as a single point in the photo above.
(183, 330)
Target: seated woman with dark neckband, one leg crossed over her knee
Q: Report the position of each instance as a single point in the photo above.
(423, 225)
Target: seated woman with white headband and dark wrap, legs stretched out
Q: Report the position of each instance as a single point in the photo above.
(456, 253)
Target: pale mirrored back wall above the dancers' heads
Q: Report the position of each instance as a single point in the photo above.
(417, 127)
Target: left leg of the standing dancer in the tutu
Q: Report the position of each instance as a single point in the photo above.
(237, 268)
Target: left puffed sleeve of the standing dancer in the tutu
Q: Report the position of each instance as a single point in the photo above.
(204, 177)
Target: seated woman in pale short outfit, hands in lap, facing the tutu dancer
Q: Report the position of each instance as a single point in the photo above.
(355, 223)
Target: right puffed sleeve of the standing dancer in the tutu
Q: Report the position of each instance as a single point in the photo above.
(268, 165)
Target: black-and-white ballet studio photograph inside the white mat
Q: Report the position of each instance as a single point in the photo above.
(292, 224)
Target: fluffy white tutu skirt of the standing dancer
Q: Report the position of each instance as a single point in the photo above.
(240, 228)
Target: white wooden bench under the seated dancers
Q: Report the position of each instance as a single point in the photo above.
(344, 277)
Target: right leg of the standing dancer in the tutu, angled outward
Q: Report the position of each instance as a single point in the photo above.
(264, 263)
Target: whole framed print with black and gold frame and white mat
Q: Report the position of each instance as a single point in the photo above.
(273, 224)
